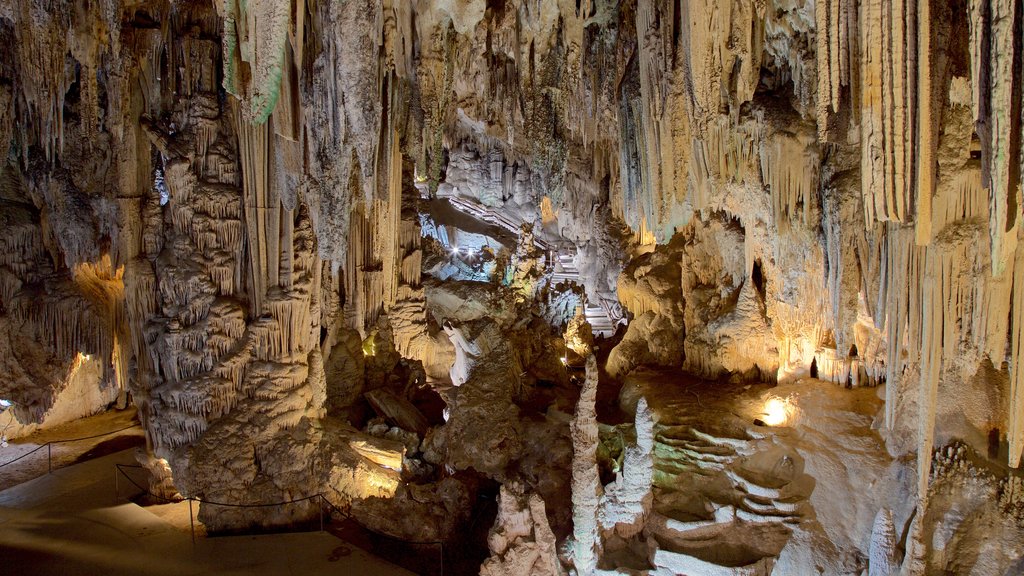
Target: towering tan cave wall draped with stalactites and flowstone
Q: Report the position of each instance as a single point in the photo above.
(210, 197)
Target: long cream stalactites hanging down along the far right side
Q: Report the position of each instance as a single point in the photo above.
(935, 217)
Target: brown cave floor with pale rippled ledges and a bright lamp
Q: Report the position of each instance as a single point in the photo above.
(732, 491)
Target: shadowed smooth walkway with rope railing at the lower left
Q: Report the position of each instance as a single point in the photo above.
(71, 523)
